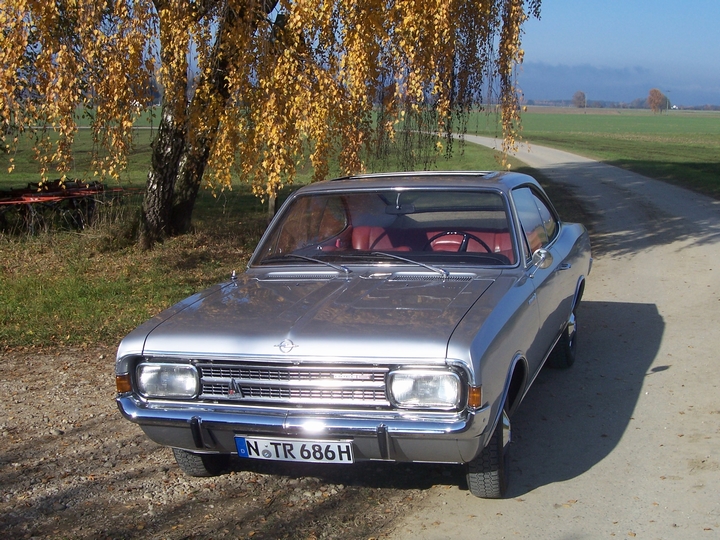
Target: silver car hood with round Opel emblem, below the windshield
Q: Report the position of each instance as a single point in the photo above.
(387, 315)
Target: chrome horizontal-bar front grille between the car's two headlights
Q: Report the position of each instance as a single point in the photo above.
(293, 385)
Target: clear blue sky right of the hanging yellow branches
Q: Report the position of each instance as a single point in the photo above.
(618, 50)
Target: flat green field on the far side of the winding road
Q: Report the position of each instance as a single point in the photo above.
(680, 147)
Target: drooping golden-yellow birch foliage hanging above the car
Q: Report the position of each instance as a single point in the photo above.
(309, 80)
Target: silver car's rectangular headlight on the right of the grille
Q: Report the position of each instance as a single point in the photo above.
(425, 389)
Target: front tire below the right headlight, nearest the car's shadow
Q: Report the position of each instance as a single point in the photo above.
(487, 474)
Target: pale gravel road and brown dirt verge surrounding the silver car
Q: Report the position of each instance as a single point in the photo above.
(624, 444)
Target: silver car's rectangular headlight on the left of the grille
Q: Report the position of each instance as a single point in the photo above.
(167, 380)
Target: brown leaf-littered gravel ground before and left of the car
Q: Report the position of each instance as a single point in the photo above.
(72, 467)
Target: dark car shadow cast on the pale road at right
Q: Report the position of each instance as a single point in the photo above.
(572, 419)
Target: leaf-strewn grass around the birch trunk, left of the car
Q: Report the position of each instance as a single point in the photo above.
(91, 286)
